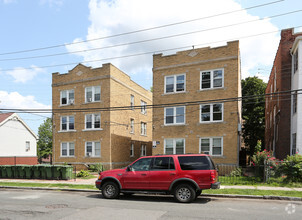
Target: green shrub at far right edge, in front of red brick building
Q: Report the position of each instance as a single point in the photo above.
(292, 168)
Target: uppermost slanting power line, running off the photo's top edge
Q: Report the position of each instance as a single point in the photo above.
(142, 30)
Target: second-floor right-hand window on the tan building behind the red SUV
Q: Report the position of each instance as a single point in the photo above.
(211, 112)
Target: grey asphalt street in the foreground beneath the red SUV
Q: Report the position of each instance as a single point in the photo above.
(37, 204)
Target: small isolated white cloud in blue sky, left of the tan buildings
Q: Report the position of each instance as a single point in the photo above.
(23, 75)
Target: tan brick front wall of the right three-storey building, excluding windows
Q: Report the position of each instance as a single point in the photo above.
(191, 63)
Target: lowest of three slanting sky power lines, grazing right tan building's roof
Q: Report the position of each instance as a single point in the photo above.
(146, 53)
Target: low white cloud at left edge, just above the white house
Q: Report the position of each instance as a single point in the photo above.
(15, 100)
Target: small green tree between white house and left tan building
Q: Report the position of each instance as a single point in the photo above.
(44, 146)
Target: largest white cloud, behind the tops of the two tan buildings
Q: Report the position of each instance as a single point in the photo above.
(118, 16)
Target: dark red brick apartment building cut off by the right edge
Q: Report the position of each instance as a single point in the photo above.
(281, 119)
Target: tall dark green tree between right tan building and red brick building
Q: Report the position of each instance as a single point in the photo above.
(253, 112)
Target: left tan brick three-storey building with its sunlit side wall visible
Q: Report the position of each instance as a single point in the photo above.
(88, 125)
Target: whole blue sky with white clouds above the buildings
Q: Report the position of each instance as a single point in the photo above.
(40, 37)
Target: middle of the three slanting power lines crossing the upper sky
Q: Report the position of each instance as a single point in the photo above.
(153, 39)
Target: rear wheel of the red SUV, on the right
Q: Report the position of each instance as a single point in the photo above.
(184, 193)
